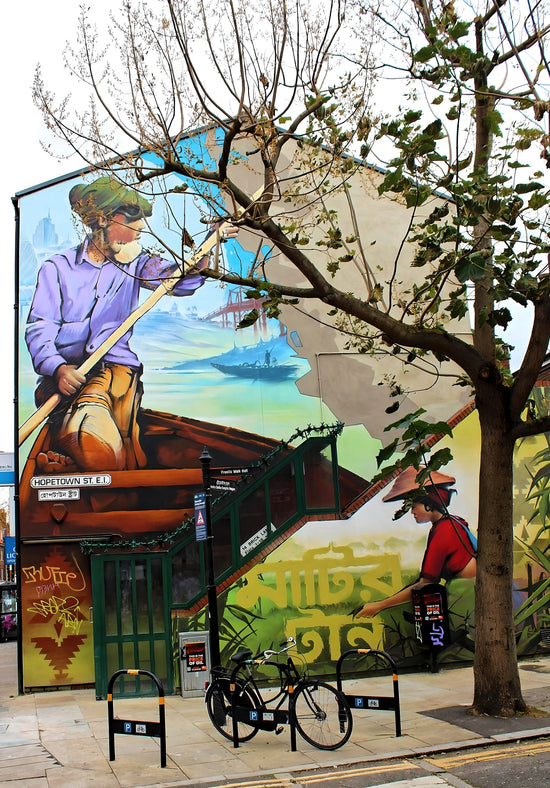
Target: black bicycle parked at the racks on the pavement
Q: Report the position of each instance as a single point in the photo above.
(320, 712)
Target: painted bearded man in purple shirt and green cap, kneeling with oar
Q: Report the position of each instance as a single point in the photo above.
(81, 297)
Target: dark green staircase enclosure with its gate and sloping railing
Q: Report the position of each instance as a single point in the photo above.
(136, 582)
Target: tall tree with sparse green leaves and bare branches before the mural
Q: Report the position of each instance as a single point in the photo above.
(292, 89)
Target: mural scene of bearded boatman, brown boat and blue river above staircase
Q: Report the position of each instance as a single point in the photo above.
(107, 447)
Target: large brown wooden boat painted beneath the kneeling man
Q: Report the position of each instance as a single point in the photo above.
(150, 500)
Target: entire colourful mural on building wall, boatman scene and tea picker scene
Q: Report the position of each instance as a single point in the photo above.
(119, 456)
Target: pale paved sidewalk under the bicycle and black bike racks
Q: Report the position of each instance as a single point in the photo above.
(60, 738)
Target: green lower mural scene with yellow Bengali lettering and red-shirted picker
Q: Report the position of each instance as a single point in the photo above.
(339, 585)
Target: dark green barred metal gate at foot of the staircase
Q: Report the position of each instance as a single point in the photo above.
(131, 621)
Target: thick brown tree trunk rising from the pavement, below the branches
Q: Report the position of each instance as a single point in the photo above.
(497, 689)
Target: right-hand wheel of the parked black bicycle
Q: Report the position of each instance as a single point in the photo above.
(323, 716)
